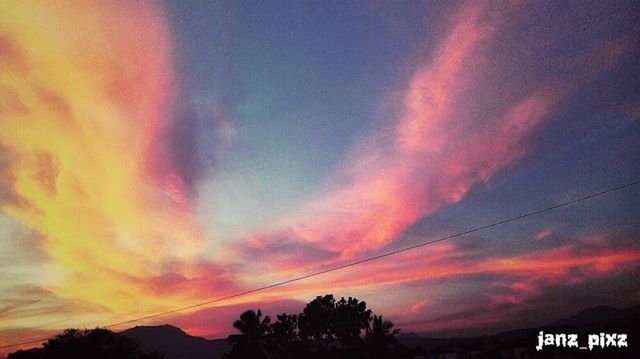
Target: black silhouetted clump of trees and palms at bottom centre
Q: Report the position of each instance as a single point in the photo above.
(326, 328)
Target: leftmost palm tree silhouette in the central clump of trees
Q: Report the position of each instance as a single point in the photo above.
(251, 341)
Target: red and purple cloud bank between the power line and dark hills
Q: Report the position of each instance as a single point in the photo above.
(466, 293)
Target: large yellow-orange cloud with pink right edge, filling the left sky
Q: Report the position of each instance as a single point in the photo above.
(85, 92)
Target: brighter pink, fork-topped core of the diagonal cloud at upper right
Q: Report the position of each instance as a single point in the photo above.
(442, 144)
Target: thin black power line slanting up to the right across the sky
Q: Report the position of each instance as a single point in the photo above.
(362, 261)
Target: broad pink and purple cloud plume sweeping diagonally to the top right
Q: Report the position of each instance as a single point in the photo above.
(472, 110)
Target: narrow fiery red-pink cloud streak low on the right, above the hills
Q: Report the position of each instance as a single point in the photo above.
(515, 277)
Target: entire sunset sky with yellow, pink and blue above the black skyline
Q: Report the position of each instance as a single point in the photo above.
(155, 155)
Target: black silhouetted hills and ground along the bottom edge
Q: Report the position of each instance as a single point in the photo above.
(172, 343)
